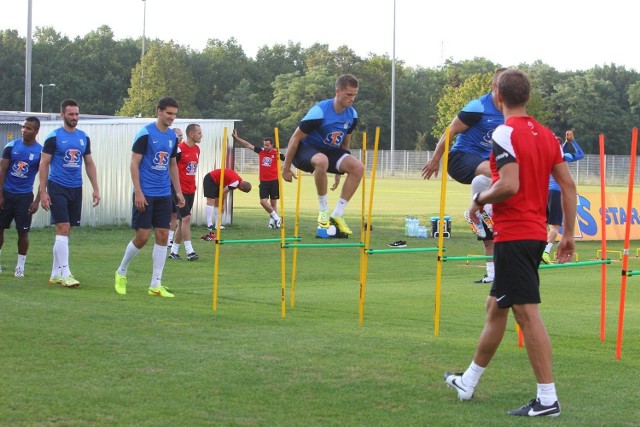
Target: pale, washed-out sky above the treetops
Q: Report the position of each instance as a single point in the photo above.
(565, 34)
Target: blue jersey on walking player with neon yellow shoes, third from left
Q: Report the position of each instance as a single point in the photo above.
(156, 148)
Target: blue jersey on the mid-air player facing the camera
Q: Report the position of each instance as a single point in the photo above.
(325, 127)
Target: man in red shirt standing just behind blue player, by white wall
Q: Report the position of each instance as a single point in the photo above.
(188, 157)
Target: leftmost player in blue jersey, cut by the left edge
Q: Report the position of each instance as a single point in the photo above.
(18, 169)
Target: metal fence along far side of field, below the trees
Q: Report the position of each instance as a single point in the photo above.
(405, 164)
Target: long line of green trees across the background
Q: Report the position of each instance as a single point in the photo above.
(278, 86)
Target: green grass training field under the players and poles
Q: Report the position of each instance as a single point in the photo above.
(87, 356)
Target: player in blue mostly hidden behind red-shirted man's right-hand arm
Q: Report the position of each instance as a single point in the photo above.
(571, 152)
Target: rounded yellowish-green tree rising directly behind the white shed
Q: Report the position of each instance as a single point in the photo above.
(163, 75)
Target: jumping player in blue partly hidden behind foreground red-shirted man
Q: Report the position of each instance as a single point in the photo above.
(469, 159)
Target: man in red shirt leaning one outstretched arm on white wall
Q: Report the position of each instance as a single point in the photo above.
(269, 189)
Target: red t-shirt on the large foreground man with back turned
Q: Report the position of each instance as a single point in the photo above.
(523, 216)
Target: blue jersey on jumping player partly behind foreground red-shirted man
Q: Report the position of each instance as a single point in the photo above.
(482, 117)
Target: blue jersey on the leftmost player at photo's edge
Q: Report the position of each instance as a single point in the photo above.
(24, 161)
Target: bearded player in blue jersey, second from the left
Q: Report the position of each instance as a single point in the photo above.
(65, 150)
